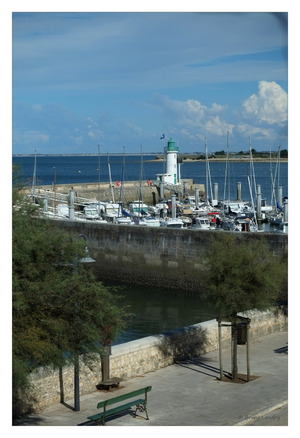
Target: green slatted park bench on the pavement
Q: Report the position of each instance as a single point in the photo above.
(140, 403)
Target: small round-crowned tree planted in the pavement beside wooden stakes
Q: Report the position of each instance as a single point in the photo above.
(242, 274)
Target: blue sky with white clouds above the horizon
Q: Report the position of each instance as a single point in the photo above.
(117, 79)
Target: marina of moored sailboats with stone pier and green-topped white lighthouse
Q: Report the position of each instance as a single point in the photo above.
(169, 200)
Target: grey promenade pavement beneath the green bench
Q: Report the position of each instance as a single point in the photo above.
(189, 393)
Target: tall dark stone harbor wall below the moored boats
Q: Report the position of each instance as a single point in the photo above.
(155, 256)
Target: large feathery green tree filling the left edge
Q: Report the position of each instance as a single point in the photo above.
(58, 312)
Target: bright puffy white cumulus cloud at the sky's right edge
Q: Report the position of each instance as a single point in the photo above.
(269, 105)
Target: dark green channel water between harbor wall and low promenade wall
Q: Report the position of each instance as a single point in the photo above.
(157, 310)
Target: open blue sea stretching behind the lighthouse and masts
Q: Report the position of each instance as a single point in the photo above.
(85, 169)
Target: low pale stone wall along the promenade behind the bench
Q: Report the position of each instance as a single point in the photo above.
(145, 355)
